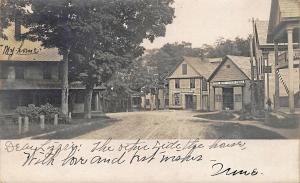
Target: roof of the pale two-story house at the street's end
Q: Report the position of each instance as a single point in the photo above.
(204, 67)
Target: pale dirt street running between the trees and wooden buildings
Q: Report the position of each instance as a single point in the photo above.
(176, 125)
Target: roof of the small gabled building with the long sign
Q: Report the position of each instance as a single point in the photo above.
(243, 63)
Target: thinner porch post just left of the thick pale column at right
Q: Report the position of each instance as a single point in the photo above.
(276, 94)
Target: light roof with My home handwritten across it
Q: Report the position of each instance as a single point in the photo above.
(25, 50)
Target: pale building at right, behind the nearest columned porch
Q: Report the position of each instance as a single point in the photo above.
(265, 55)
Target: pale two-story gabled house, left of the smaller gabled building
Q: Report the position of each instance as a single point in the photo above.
(188, 86)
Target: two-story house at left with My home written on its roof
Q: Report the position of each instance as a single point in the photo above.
(31, 74)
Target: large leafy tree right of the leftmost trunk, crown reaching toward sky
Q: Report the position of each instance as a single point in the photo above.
(124, 26)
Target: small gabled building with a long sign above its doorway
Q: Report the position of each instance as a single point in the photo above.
(230, 84)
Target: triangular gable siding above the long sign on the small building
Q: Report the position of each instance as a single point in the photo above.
(229, 74)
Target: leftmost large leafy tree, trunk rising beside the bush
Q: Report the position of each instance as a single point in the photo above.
(53, 23)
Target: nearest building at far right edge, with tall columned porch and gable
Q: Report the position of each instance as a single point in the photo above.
(284, 29)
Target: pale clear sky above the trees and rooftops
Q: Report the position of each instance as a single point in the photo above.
(204, 21)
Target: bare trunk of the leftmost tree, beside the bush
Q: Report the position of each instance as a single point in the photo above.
(65, 84)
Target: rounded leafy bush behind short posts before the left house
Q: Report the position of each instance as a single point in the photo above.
(33, 112)
